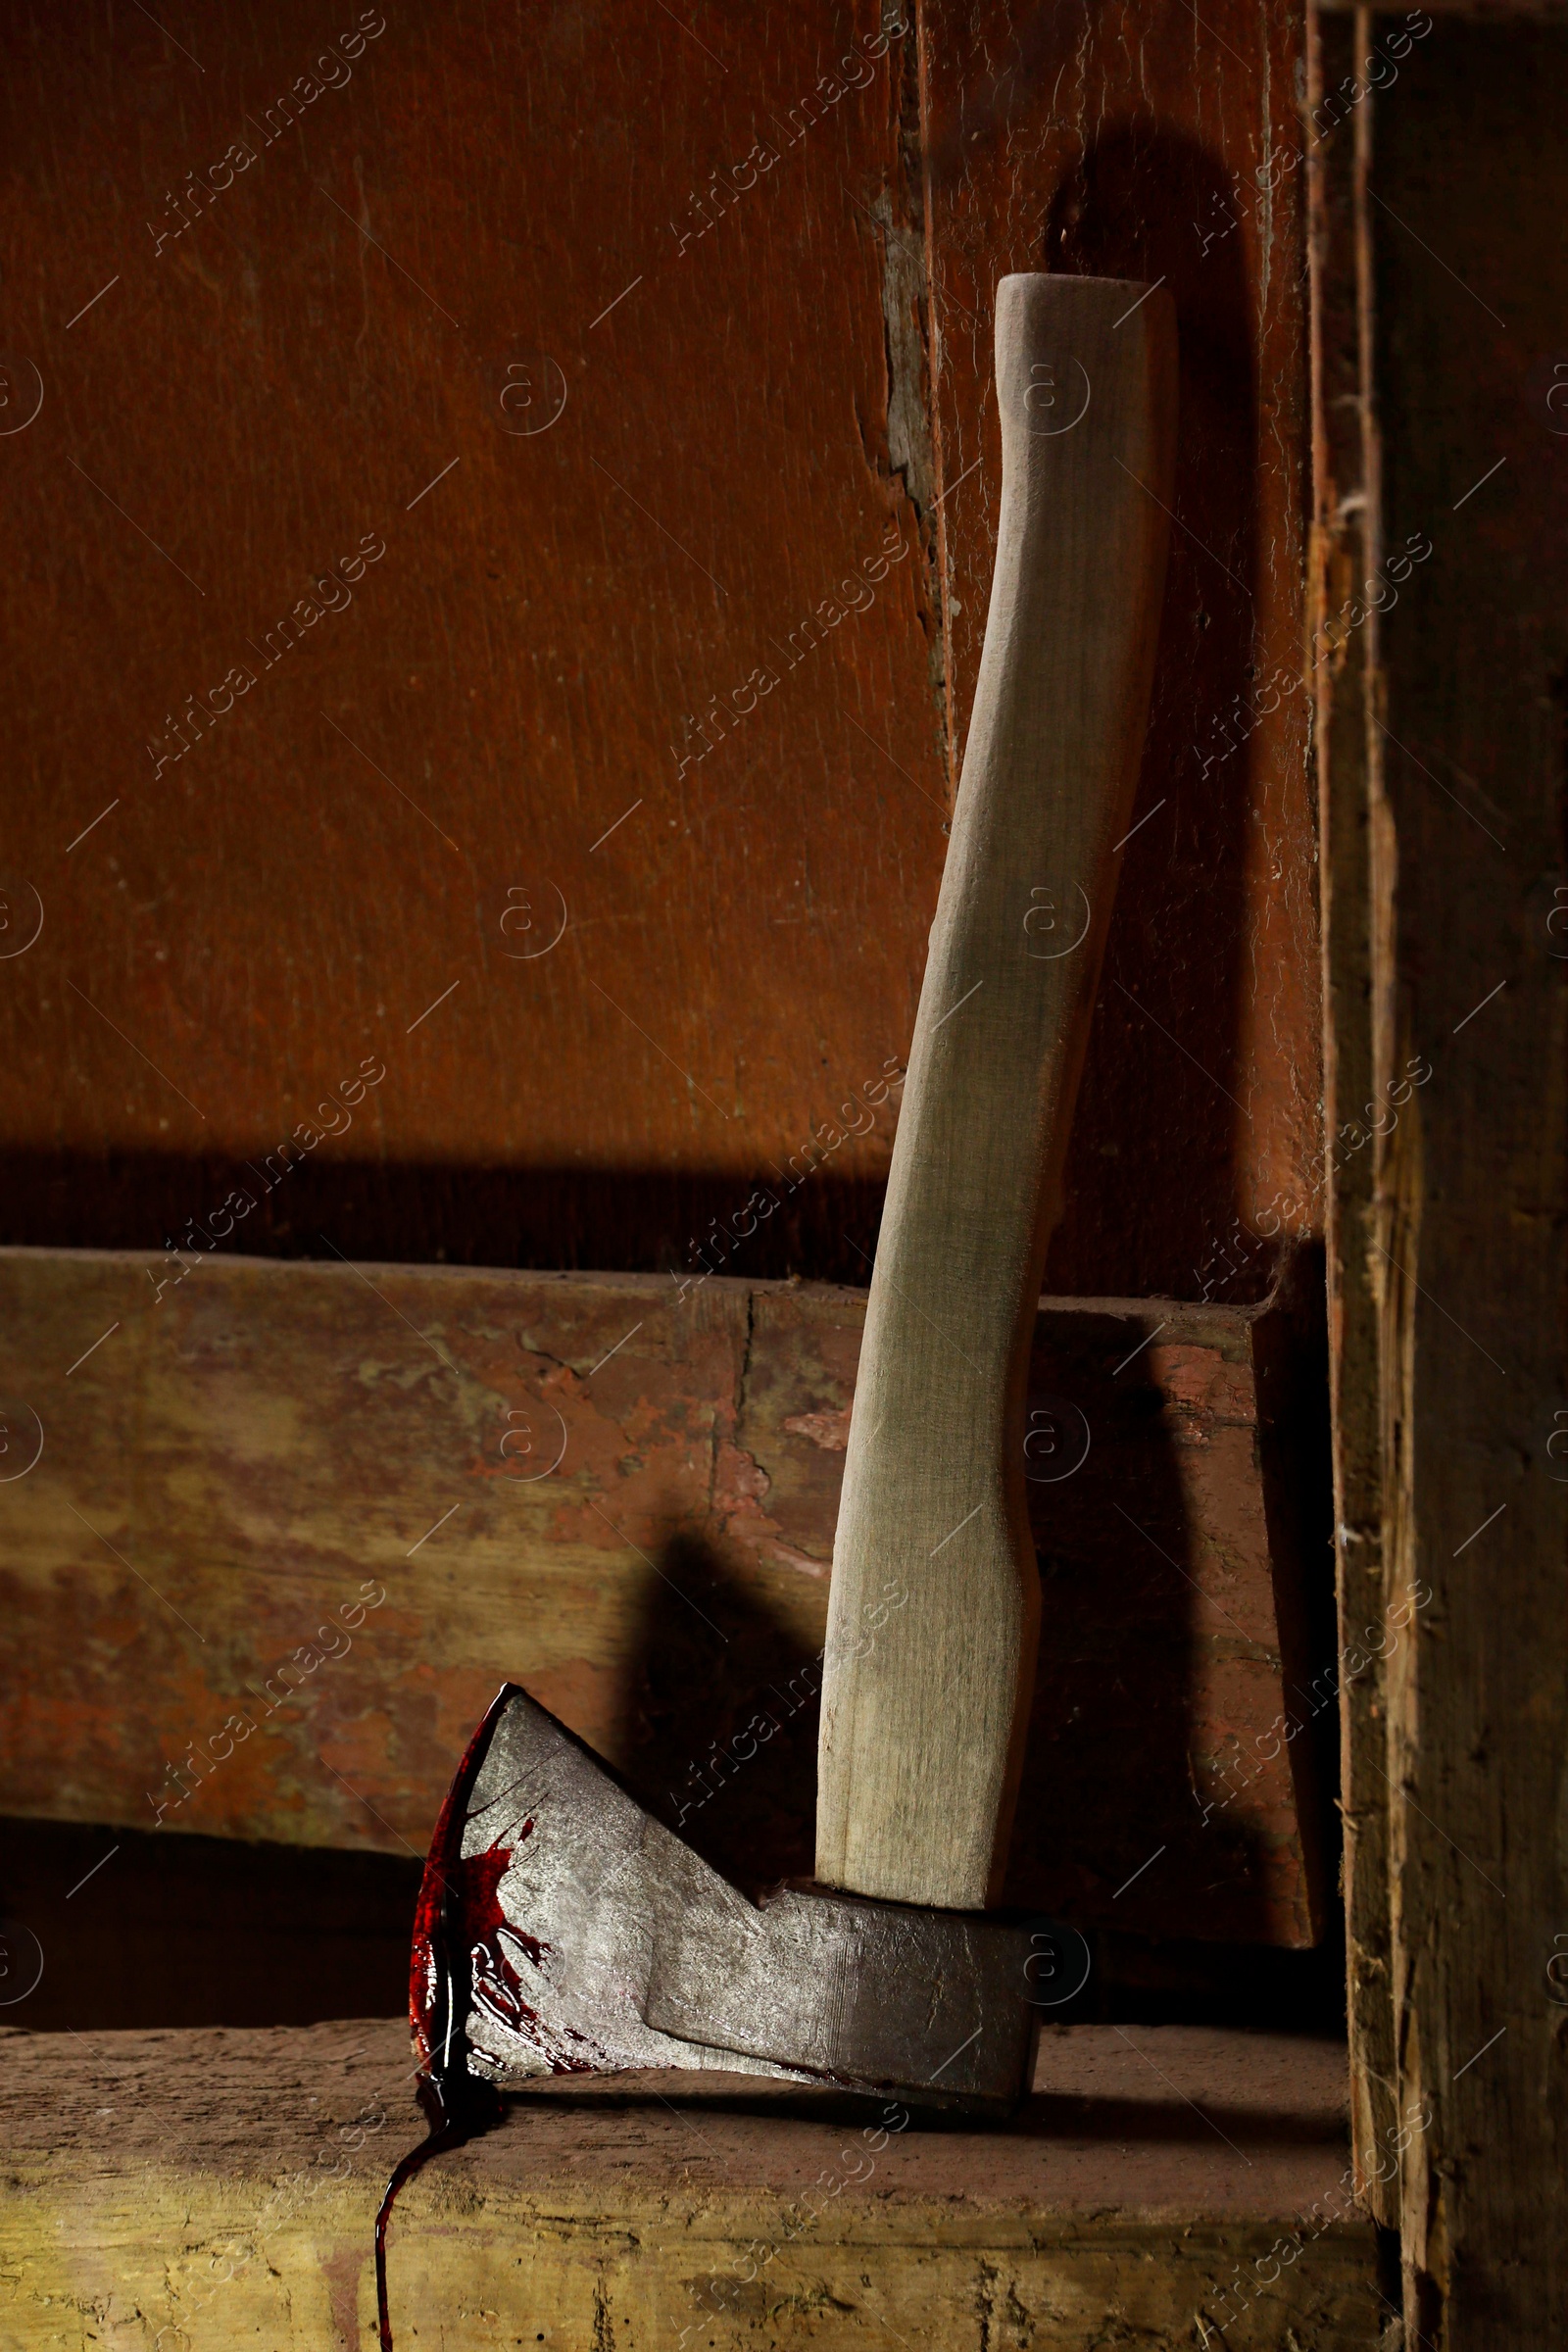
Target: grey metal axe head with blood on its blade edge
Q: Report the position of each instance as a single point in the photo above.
(565, 1932)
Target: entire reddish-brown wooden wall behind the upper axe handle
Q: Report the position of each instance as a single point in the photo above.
(556, 624)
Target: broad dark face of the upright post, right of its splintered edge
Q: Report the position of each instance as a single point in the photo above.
(1473, 1184)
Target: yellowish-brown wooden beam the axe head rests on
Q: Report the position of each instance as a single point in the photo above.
(213, 2189)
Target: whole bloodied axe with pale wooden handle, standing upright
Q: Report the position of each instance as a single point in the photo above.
(561, 1927)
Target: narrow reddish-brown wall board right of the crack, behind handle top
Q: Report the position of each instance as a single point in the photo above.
(1146, 142)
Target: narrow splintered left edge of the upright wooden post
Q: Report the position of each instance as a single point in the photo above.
(1353, 824)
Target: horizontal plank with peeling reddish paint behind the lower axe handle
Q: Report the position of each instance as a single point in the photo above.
(239, 1462)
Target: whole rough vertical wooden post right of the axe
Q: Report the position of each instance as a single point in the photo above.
(1445, 813)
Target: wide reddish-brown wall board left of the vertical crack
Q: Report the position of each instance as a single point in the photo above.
(622, 620)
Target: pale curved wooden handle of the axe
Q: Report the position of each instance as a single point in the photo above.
(934, 1612)
